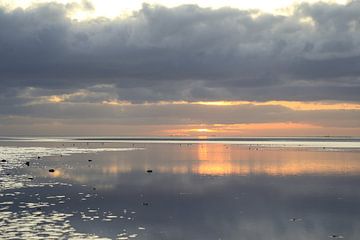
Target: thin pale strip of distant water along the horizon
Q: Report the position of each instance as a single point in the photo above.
(320, 143)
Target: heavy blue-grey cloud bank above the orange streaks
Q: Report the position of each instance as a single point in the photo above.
(185, 53)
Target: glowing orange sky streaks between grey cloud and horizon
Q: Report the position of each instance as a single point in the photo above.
(204, 129)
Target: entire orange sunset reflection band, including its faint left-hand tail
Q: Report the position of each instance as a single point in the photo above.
(218, 160)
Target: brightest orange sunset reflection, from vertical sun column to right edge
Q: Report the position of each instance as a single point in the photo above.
(218, 159)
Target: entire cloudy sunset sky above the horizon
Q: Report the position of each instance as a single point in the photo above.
(179, 68)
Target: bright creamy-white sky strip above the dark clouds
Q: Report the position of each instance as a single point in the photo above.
(115, 8)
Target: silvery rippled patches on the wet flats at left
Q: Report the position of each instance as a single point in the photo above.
(31, 222)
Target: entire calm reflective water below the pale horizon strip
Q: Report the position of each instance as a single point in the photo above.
(195, 191)
